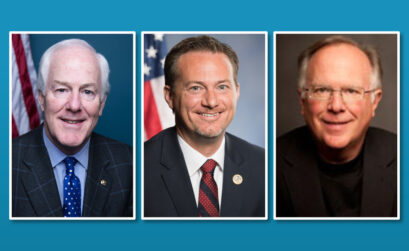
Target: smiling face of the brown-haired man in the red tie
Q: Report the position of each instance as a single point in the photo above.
(204, 95)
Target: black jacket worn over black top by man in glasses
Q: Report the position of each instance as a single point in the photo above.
(298, 184)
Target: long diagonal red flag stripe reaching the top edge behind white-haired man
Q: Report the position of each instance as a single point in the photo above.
(26, 87)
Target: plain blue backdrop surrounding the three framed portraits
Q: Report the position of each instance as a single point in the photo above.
(204, 15)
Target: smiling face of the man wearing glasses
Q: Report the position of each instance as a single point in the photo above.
(335, 123)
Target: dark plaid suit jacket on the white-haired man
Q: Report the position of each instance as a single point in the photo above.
(35, 192)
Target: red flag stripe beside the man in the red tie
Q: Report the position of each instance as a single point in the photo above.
(151, 115)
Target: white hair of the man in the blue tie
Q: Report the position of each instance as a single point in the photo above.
(44, 67)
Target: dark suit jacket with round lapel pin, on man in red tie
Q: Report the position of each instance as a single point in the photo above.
(168, 190)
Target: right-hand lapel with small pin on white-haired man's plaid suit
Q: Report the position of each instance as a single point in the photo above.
(98, 182)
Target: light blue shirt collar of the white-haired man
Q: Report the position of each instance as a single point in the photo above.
(56, 156)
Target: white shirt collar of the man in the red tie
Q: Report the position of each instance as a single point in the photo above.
(194, 159)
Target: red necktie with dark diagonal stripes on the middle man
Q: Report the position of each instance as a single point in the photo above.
(208, 194)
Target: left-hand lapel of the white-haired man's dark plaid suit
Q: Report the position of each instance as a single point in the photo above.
(39, 181)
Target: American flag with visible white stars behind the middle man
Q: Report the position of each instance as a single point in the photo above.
(157, 114)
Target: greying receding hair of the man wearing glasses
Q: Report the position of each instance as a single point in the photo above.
(370, 52)
